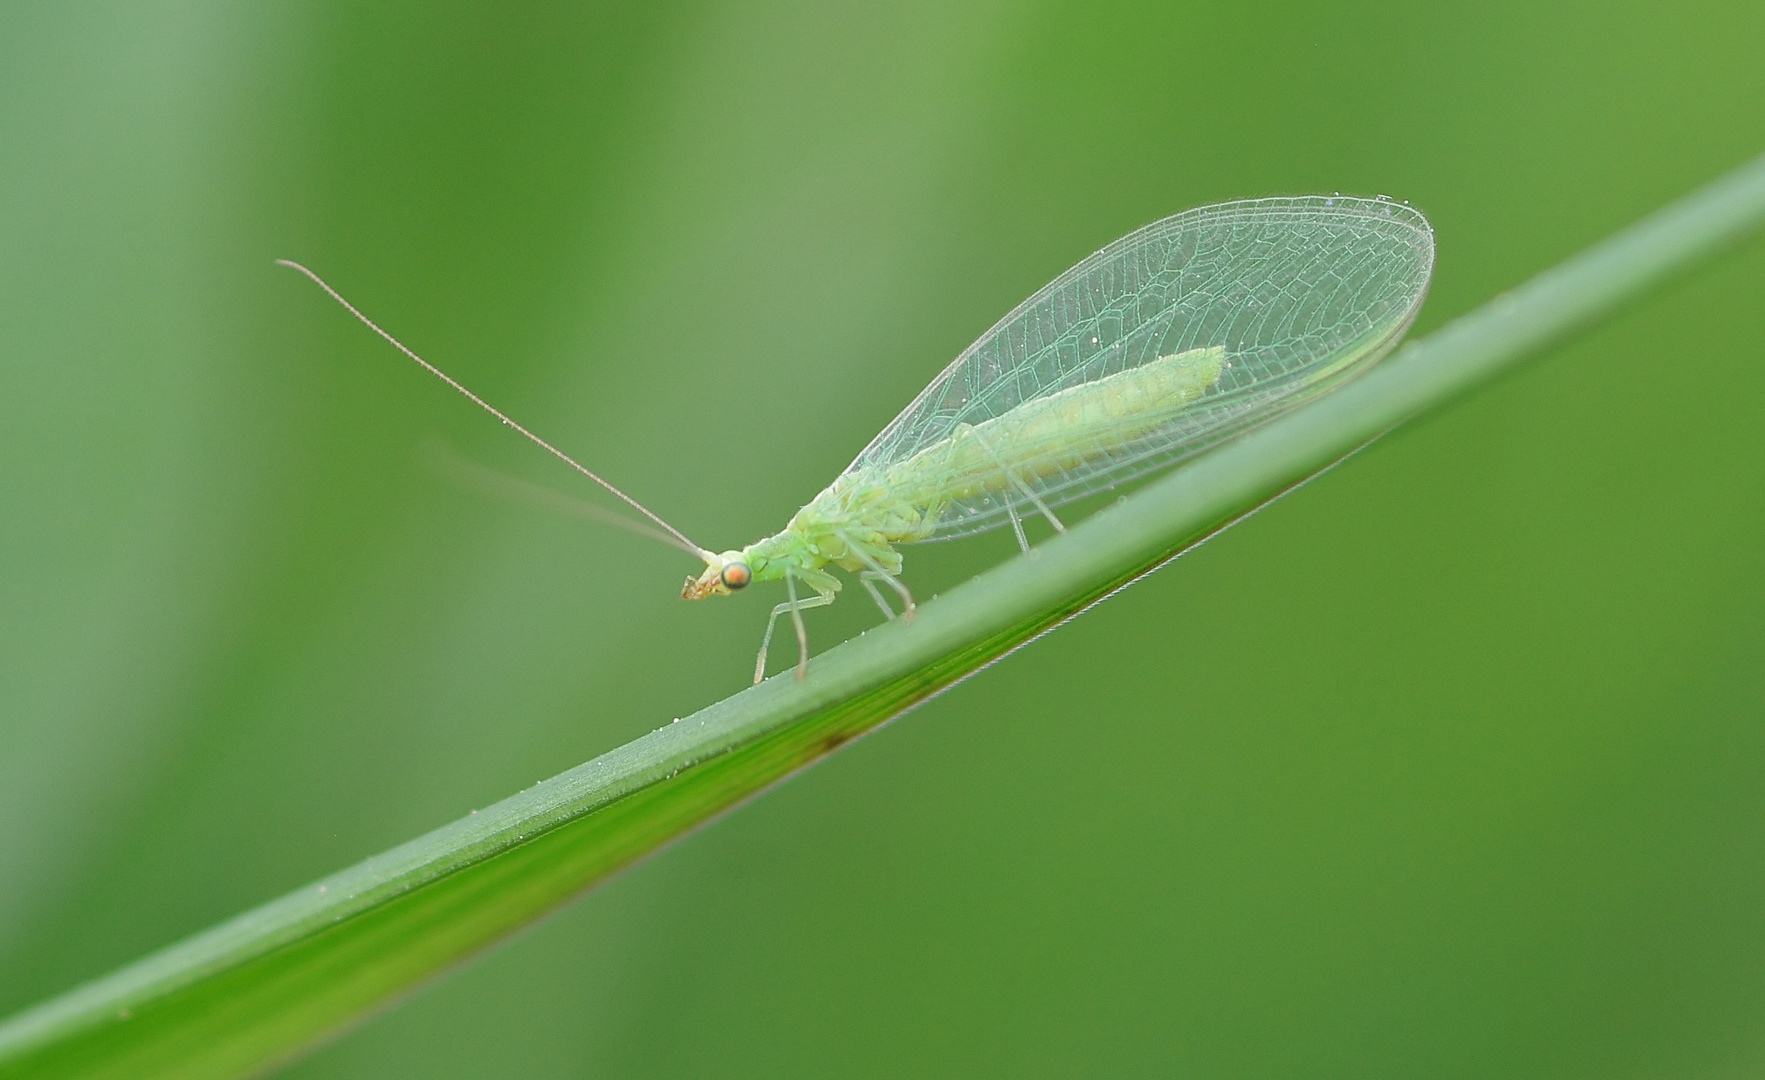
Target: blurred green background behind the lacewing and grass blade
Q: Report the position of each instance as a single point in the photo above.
(1450, 765)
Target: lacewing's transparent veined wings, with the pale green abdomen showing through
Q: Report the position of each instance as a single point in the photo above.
(1256, 304)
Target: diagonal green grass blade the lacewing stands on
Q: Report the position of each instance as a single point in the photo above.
(276, 980)
